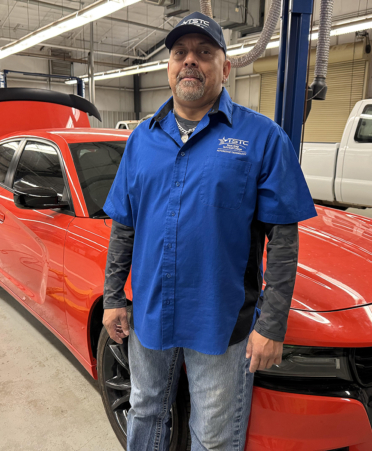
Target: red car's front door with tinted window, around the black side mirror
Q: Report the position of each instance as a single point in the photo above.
(35, 238)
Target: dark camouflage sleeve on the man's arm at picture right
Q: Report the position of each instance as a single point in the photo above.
(280, 276)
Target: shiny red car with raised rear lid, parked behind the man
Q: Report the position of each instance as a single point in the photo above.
(55, 173)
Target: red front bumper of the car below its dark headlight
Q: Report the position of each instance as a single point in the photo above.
(284, 421)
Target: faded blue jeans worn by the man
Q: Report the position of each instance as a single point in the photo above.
(220, 393)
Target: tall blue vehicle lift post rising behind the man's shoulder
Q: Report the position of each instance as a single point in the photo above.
(292, 68)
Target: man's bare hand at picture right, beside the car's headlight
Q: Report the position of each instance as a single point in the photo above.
(264, 353)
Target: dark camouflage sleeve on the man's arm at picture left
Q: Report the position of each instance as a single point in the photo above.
(119, 259)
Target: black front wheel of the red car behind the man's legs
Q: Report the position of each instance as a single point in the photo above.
(114, 383)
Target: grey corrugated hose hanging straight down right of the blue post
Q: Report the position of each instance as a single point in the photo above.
(319, 86)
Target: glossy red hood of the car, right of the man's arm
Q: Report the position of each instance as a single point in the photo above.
(335, 262)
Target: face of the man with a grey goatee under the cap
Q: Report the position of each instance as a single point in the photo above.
(196, 68)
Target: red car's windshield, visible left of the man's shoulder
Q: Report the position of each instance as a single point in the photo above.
(96, 165)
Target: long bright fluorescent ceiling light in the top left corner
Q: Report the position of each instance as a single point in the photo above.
(75, 20)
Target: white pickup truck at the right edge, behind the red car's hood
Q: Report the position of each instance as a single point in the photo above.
(340, 174)
